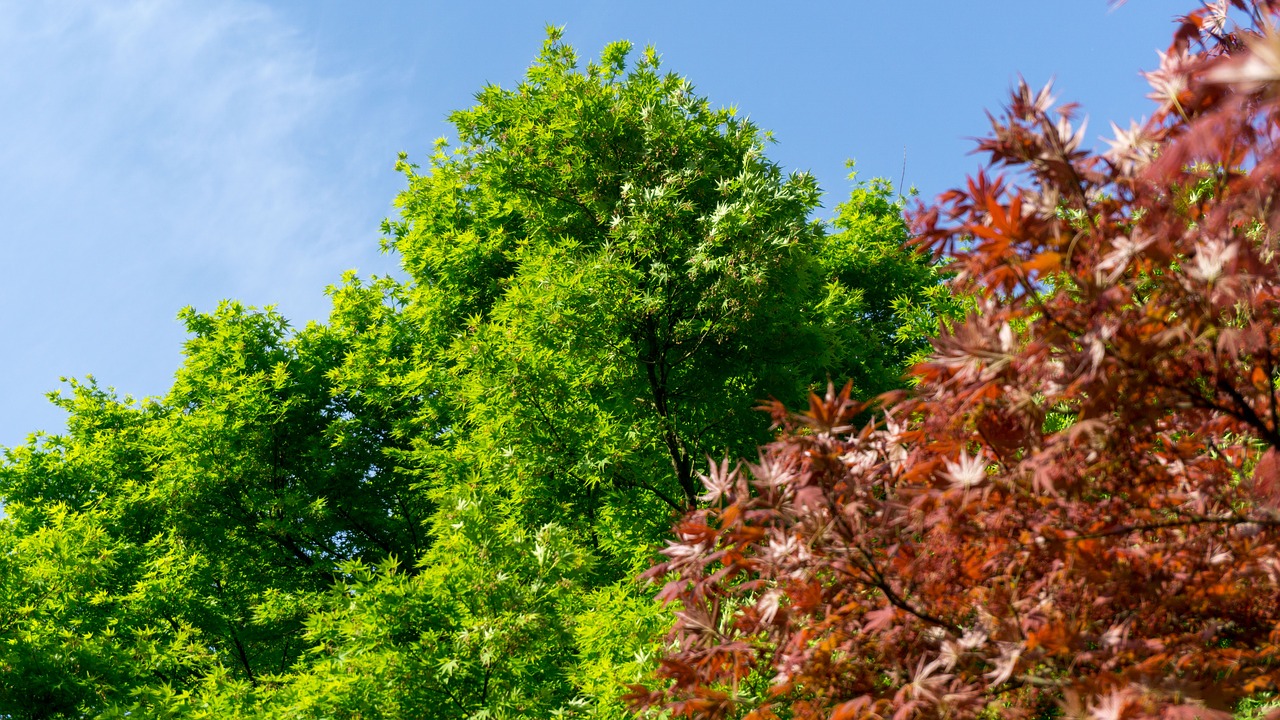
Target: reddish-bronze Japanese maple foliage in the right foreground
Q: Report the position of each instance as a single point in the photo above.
(968, 552)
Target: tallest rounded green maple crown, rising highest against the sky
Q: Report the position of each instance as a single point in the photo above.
(610, 275)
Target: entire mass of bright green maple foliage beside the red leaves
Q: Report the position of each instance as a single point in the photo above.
(433, 505)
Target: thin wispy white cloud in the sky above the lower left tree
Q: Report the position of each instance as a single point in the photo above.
(154, 154)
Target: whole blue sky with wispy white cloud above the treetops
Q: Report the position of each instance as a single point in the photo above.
(167, 153)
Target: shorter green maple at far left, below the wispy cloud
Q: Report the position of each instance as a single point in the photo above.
(172, 523)
